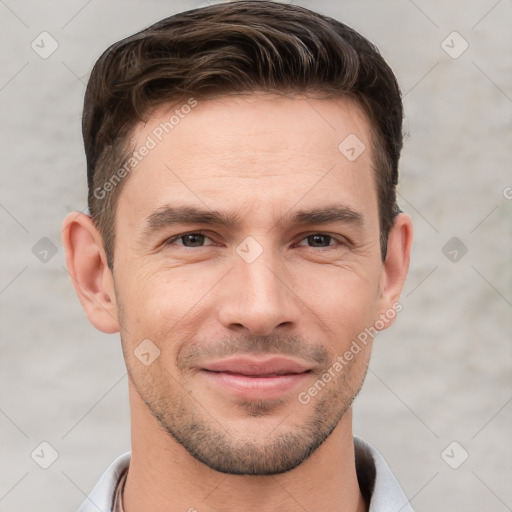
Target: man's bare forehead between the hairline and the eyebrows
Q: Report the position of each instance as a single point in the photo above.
(254, 151)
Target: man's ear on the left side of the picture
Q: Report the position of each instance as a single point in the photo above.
(87, 265)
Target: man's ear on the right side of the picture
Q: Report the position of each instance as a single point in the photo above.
(396, 265)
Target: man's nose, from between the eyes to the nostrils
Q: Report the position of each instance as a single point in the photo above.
(257, 297)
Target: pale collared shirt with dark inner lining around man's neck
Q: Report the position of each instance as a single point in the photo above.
(377, 483)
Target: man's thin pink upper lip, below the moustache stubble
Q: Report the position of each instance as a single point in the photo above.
(251, 366)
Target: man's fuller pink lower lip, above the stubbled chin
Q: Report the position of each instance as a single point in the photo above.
(256, 388)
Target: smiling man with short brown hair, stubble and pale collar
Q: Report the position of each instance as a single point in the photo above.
(244, 240)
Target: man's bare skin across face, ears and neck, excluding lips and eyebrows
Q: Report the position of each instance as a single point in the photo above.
(263, 158)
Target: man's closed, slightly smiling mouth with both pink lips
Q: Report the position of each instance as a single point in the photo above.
(256, 379)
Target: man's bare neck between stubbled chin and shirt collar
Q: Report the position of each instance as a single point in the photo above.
(163, 476)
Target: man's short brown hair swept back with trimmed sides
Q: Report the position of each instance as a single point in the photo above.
(235, 48)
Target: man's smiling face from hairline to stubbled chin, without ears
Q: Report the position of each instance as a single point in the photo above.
(229, 306)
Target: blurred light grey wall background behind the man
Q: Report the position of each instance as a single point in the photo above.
(442, 373)
